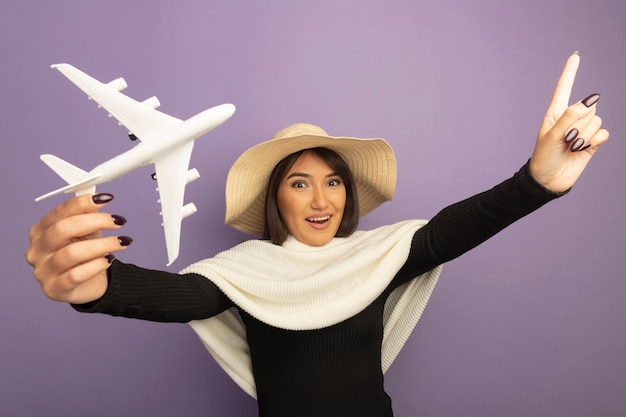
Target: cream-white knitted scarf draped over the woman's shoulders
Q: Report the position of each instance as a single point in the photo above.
(301, 287)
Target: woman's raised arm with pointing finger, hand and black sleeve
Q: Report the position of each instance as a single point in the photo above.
(567, 139)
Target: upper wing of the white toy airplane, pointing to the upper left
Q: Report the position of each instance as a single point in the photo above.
(140, 118)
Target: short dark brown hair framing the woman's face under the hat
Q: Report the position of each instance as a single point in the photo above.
(275, 229)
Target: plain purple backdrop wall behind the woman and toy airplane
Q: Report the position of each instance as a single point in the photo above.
(530, 323)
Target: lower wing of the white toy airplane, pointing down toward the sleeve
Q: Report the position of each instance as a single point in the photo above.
(171, 175)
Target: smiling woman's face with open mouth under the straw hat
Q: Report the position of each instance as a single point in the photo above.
(311, 199)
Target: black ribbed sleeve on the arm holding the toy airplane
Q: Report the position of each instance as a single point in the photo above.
(147, 294)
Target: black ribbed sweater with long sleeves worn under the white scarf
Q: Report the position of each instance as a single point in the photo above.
(333, 371)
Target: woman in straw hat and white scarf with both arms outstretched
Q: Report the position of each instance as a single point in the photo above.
(323, 309)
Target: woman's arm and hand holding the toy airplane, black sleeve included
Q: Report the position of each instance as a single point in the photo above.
(73, 262)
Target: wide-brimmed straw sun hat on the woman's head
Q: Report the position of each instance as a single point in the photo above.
(371, 161)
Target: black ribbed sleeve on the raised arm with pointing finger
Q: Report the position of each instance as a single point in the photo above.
(466, 224)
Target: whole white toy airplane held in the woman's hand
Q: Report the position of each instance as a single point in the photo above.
(167, 142)
